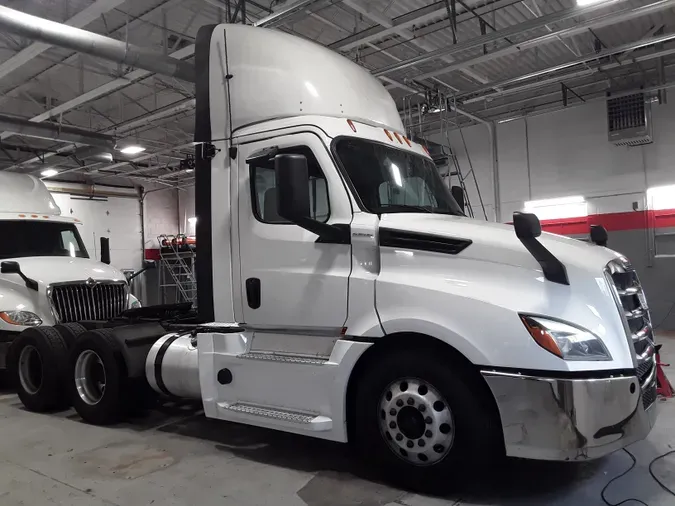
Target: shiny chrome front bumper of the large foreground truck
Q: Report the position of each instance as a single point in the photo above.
(569, 419)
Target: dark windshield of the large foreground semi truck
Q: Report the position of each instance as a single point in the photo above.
(390, 180)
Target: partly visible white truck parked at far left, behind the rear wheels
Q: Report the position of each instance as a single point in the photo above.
(47, 275)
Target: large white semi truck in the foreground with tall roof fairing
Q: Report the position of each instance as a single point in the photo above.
(343, 294)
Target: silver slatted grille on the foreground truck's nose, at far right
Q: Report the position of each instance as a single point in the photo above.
(633, 305)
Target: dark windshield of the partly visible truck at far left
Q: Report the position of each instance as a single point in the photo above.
(28, 238)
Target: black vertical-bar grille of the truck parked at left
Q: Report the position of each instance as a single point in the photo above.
(77, 301)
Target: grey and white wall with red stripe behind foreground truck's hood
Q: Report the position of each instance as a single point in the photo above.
(567, 153)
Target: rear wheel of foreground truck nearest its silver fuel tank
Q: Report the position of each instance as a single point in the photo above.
(98, 381)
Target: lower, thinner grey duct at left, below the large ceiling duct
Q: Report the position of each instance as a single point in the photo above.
(55, 132)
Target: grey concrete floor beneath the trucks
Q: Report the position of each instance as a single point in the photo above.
(175, 456)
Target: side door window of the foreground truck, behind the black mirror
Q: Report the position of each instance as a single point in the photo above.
(264, 192)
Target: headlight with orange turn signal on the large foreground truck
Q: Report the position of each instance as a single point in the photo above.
(564, 340)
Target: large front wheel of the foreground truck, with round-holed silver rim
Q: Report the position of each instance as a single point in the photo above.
(423, 420)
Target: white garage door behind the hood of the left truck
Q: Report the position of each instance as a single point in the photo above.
(117, 218)
